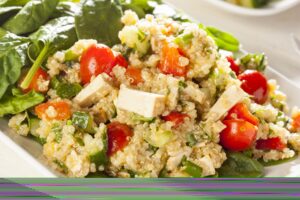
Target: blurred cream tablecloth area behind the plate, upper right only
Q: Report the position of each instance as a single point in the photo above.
(269, 34)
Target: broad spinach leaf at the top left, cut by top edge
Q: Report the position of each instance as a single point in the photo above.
(34, 14)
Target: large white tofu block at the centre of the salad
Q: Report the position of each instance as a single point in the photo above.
(139, 102)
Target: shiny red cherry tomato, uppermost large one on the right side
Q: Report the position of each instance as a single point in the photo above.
(255, 84)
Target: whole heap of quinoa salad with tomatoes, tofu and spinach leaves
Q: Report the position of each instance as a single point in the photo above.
(166, 97)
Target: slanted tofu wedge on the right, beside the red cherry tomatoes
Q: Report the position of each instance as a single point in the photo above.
(227, 100)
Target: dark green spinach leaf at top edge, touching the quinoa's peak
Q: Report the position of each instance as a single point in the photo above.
(100, 20)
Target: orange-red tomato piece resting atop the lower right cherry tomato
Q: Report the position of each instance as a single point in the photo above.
(240, 111)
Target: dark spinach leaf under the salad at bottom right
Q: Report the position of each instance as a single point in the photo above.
(241, 166)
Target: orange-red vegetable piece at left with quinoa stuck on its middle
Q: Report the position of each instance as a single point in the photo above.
(62, 109)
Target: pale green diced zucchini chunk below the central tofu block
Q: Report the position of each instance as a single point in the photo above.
(159, 138)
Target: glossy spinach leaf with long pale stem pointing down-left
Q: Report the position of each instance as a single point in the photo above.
(56, 35)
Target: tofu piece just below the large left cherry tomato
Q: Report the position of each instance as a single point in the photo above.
(94, 91)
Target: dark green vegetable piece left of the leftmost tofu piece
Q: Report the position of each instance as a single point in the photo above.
(68, 90)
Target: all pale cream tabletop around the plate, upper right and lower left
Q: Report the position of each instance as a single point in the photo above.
(269, 34)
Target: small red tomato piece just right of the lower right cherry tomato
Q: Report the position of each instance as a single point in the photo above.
(270, 144)
